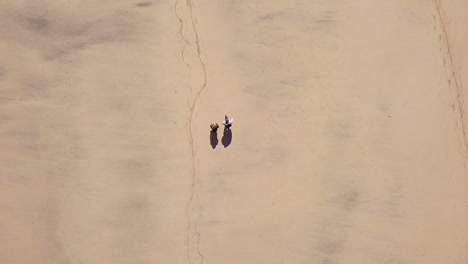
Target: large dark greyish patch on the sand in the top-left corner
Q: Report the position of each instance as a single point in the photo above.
(58, 33)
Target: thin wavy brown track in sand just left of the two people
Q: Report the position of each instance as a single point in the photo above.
(193, 206)
